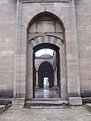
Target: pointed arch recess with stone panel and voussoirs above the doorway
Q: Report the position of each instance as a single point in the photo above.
(46, 28)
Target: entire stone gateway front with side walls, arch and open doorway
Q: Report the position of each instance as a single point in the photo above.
(45, 50)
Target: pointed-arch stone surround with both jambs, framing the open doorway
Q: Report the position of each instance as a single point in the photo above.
(46, 29)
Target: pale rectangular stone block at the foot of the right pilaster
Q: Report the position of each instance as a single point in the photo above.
(75, 101)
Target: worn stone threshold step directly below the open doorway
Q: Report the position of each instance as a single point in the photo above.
(29, 104)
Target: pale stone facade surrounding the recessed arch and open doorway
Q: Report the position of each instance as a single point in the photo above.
(15, 17)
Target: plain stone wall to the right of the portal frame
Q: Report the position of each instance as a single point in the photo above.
(83, 17)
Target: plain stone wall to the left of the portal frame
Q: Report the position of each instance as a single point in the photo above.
(7, 40)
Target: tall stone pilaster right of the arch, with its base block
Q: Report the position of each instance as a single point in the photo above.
(73, 63)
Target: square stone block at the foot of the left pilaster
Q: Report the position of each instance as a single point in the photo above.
(18, 103)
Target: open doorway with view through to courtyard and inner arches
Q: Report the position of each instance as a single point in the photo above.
(46, 72)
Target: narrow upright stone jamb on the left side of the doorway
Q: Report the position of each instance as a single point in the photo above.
(29, 76)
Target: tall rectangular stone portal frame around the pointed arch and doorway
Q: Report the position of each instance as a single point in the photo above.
(70, 83)
